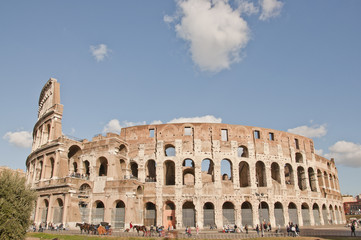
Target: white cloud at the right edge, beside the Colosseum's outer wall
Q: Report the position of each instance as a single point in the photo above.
(346, 153)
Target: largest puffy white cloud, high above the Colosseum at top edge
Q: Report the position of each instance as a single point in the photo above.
(216, 33)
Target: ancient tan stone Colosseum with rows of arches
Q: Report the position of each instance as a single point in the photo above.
(177, 175)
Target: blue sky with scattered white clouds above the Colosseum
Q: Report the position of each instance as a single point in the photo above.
(286, 65)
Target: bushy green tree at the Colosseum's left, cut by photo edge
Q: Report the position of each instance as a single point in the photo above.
(16, 203)
